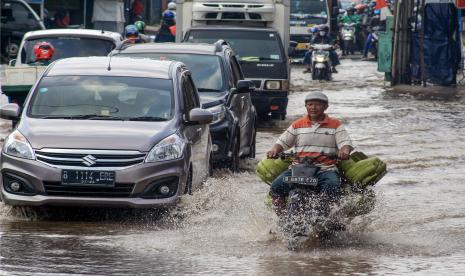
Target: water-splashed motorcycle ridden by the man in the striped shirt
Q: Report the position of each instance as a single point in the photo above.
(312, 214)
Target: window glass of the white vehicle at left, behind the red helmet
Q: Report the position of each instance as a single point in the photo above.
(69, 46)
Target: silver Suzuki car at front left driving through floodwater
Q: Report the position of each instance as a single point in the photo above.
(107, 132)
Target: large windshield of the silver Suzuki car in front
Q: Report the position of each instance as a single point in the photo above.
(103, 98)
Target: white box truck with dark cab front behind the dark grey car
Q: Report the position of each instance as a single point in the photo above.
(258, 31)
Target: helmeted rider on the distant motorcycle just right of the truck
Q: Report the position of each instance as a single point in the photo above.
(322, 36)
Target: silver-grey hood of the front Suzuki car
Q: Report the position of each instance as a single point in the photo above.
(94, 134)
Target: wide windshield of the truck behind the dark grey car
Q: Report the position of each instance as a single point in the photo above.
(249, 46)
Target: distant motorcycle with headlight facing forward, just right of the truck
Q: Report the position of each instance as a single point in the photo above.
(321, 63)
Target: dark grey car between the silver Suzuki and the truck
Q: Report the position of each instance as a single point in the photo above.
(222, 90)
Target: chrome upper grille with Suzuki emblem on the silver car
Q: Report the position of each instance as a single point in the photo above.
(89, 158)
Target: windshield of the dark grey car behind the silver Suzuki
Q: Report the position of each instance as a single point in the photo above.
(206, 69)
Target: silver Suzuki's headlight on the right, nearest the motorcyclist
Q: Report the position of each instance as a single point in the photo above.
(170, 148)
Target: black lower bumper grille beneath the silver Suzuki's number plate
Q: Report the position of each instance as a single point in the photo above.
(119, 190)
